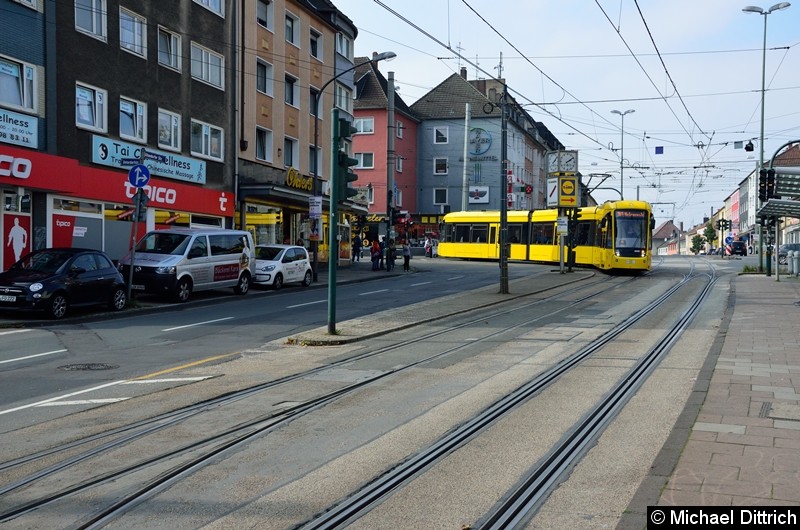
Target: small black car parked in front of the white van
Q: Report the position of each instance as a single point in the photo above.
(54, 279)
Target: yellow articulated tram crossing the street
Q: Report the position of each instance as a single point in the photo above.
(615, 236)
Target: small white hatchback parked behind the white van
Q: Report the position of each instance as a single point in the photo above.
(280, 264)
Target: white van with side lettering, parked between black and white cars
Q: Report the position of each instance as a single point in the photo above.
(175, 262)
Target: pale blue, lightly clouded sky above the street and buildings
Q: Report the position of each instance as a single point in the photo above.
(690, 70)
